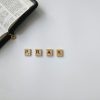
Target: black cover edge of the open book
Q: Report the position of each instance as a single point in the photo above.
(12, 29)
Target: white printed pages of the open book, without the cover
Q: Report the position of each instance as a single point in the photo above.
(10, 11)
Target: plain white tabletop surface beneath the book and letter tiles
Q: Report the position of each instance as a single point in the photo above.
(73, 25)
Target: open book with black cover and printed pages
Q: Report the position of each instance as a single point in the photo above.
(12, 14)
